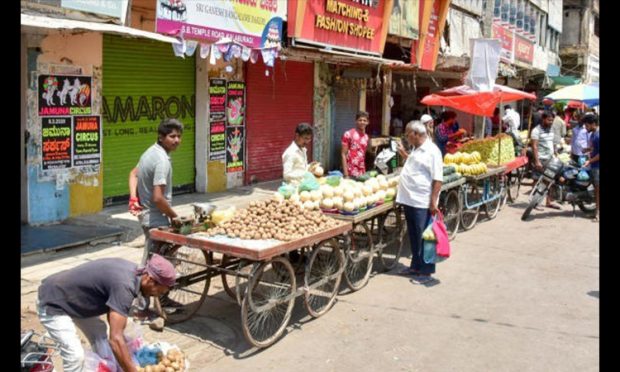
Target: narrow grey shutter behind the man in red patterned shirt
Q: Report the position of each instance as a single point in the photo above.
(347, 104)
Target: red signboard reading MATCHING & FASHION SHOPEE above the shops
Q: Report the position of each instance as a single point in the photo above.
(349, 24)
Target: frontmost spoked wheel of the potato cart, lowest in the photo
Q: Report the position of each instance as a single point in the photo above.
(268, 302)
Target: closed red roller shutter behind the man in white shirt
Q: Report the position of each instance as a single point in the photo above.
(275, 105)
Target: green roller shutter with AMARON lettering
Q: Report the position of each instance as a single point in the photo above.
(143, 82)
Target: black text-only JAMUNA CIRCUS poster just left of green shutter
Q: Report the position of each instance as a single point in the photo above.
(86, 140)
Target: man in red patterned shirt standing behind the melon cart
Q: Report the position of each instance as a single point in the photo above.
(354, 144)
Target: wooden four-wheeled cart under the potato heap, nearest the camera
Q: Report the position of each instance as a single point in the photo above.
(267, 283)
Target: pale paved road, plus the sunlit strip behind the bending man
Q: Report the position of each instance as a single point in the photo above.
(514, 296)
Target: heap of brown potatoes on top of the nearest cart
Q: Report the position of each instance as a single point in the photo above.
(283, 220)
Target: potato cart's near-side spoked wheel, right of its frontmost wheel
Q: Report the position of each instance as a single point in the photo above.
(322, 277)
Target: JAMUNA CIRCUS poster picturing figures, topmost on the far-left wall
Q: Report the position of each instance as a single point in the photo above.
(61, 95)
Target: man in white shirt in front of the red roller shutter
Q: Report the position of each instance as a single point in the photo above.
(295, 159)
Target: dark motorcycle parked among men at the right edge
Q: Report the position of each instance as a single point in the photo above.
(569, 184)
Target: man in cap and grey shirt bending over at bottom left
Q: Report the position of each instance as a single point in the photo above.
(79, 296)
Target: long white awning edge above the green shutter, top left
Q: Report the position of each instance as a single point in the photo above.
(28, 20)
